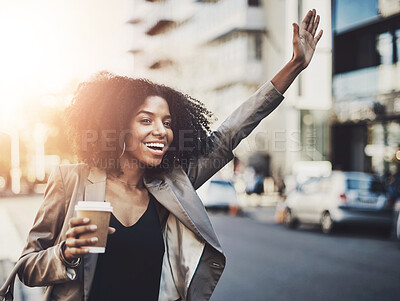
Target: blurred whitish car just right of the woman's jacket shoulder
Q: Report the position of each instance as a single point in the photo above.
(219, 195)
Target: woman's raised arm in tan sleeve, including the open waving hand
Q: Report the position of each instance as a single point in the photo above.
(247, 116)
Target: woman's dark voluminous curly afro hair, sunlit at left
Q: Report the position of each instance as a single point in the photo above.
(104, 106)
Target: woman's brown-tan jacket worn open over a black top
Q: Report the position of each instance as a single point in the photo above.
(193, 261)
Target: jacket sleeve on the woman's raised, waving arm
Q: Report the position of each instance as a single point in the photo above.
(235, 128)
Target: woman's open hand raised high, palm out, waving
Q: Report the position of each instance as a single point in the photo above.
(304, 38)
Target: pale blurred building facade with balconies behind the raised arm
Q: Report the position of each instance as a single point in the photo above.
(220, 52)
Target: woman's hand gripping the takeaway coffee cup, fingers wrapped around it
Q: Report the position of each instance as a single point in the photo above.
(74, 246)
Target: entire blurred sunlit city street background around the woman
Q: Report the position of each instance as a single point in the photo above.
(329, 155)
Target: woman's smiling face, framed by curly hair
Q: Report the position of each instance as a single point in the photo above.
(150, 131)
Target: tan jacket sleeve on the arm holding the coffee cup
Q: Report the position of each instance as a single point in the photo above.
(44, 267)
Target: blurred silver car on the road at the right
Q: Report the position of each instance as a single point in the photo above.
(343, 197)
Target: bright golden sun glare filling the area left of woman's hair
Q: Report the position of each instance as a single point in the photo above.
(47, 48)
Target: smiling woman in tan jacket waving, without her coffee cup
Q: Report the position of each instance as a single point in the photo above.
(150, 178)
